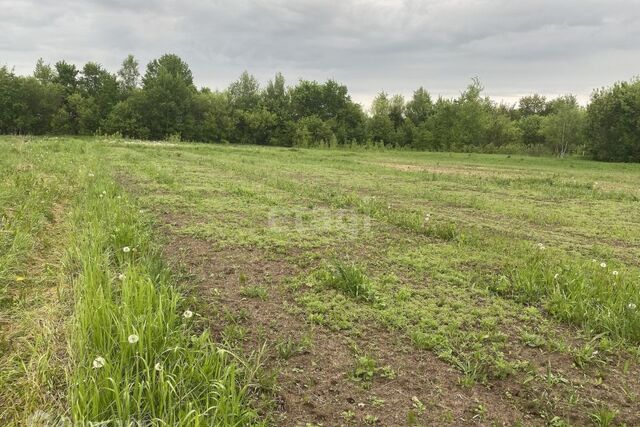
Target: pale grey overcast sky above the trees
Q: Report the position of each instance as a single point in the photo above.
(515, 47)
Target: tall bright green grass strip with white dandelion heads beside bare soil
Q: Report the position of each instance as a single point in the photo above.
(136, 357)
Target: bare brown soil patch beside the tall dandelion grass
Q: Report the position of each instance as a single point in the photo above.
(316, 384)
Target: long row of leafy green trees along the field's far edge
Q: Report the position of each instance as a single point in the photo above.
(164, 103)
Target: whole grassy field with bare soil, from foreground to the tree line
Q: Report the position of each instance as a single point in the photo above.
(202, 284)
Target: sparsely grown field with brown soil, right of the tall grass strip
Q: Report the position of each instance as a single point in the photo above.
(404, 288)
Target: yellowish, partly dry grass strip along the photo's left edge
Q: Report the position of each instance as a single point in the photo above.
(30, 375)
